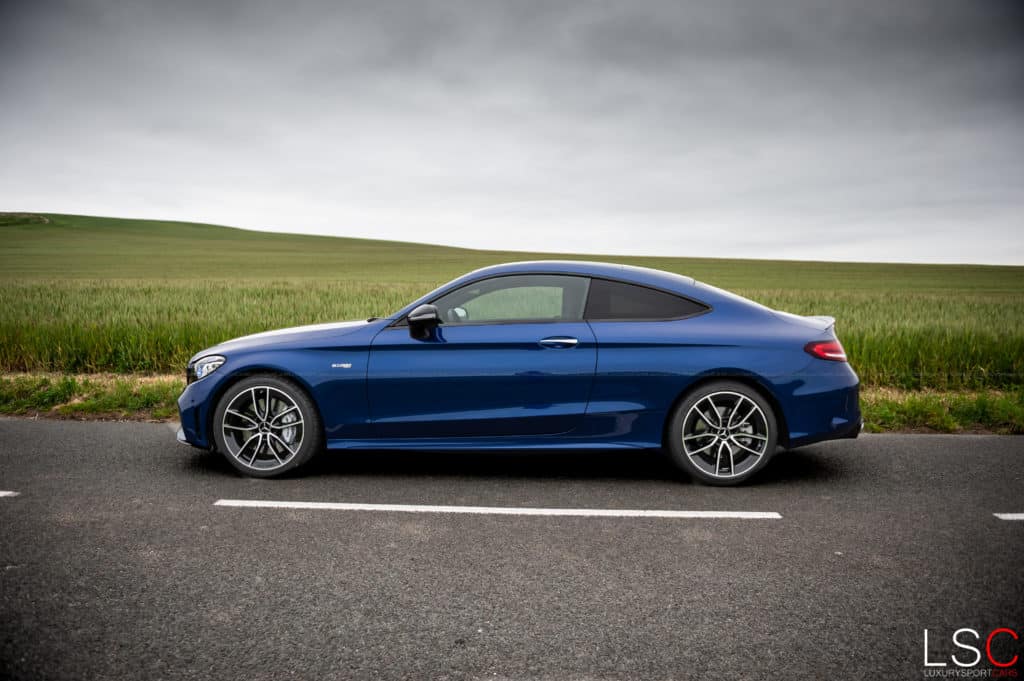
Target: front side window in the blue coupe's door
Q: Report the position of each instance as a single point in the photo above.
(517, 299)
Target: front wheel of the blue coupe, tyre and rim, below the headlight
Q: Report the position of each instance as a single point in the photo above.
(266, 427)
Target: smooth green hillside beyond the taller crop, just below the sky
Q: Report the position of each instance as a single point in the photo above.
(48, 246)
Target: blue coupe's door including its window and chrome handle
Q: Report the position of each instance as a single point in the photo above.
(513, 357)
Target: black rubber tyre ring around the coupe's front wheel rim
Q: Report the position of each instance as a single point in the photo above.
(313, 440)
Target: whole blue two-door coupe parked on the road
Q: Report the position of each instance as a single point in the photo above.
(534, 356)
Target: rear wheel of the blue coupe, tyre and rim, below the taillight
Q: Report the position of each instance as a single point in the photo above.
(722, 434)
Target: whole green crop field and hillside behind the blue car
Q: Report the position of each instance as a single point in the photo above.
(90, 294)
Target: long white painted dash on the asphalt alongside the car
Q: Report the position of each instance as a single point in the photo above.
(501, 510)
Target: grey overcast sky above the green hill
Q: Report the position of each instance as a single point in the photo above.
(805, 130)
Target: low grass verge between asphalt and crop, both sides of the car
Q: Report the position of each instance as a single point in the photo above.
(136, 398)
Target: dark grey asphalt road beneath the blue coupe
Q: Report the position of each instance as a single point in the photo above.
(116, 564)
